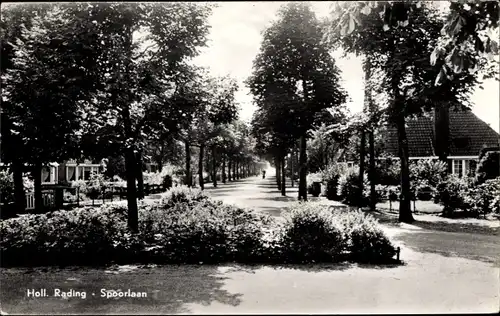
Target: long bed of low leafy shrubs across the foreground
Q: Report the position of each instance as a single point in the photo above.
(186, 226)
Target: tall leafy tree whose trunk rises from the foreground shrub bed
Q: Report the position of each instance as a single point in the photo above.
(139, 73)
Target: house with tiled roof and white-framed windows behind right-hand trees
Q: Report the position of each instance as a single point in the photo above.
(468, 134)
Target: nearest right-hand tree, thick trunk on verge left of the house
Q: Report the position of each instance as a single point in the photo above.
(408, 75)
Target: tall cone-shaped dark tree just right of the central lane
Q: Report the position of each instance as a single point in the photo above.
(295, 84)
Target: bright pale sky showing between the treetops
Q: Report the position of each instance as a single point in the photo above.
(235, 39)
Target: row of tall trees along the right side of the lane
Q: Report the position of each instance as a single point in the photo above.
(417, 58)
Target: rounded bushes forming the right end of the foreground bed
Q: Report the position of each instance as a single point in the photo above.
(313, 232)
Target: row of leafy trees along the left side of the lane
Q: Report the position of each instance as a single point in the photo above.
(109, 79)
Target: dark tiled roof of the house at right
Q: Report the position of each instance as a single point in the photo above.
(468, 135)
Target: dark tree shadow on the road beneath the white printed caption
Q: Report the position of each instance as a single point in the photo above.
(169, 289)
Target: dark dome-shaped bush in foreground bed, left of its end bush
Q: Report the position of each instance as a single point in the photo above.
(310, 235)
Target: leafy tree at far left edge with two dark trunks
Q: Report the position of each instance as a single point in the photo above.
(48, 71)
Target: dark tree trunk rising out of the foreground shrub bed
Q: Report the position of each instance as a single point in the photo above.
(130, 171)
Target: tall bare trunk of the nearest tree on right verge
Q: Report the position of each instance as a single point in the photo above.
(405, 214)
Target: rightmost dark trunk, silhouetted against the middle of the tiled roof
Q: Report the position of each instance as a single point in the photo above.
(442, 131)
